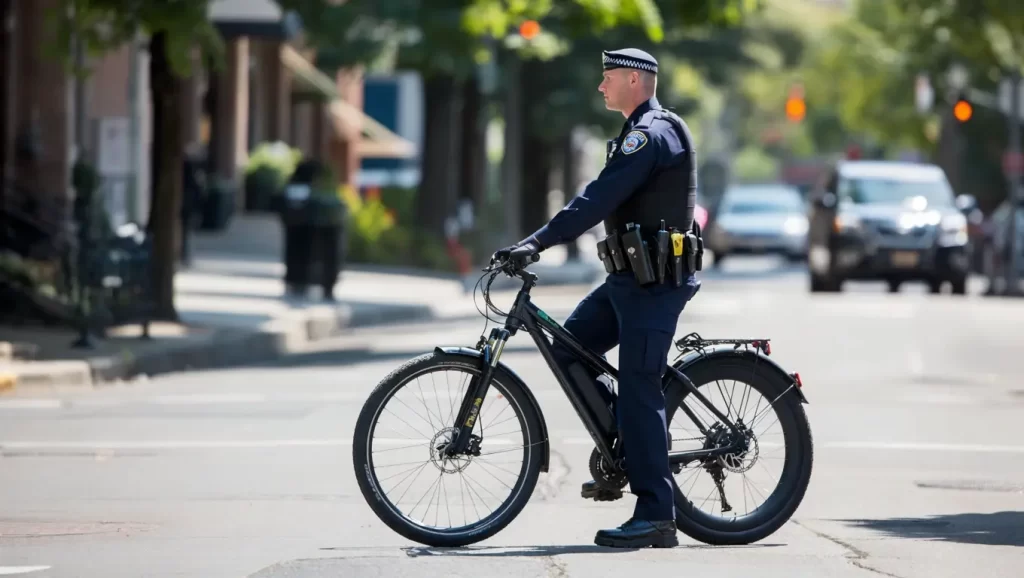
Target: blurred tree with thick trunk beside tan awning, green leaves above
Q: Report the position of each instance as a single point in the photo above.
(448, 42)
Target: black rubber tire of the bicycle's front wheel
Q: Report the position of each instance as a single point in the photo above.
(504, 515)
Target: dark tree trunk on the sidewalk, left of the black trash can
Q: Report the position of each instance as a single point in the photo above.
(167, 156)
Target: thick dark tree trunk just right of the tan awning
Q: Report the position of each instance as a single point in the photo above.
(439, 186)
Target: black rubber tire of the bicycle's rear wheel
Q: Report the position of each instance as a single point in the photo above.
(797, 473)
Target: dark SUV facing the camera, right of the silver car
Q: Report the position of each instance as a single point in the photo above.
(887, 221)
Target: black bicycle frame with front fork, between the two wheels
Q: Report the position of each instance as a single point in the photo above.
(584, 397)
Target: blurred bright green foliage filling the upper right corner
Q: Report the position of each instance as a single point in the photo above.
(863, 72)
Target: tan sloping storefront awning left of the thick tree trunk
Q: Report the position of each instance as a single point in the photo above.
(377, 141)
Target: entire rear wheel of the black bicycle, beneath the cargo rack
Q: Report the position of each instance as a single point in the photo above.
(758, 399)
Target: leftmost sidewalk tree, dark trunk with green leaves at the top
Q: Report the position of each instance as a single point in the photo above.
(177, 29)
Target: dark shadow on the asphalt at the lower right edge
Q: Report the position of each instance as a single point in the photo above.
(998, 529)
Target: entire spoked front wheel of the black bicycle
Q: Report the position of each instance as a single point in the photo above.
(400, 463)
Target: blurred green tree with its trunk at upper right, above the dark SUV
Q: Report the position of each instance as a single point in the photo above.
(861, 79)
